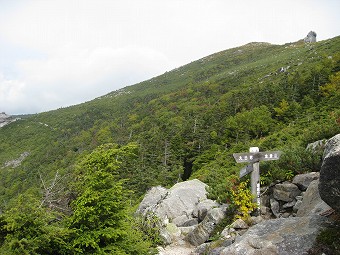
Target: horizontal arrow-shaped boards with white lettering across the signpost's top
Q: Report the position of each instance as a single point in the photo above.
(251, 157)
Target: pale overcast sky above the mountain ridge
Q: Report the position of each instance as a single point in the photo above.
(57, 53)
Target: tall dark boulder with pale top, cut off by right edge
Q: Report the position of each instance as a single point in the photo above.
(329, 186)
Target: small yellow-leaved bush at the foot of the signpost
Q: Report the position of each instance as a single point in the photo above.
(243, 201)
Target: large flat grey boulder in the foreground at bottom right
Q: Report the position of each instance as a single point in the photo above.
(278, 236)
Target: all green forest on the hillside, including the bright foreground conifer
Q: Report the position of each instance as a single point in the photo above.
(86, 167)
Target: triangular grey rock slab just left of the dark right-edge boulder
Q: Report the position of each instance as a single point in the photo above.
(312, 202)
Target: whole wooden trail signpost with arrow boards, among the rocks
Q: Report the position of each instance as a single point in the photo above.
(254, 157)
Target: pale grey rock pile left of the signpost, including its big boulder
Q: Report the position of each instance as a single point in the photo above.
(183, 210)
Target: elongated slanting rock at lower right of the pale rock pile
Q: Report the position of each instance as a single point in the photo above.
(203, 230)
